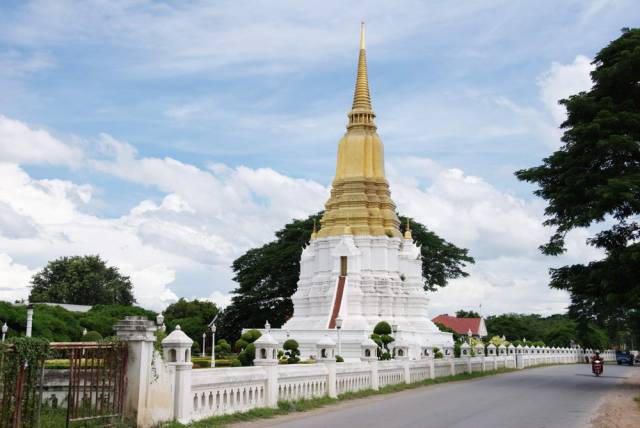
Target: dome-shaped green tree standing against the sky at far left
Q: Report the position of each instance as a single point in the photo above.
(81, 280)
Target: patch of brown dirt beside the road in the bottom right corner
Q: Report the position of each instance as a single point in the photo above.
(618, 409)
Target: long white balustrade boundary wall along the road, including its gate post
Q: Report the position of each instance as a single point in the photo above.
(174, 391)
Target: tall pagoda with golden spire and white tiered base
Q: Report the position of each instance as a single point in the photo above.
(358, 269)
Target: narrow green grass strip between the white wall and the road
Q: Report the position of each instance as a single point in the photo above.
(287, 407)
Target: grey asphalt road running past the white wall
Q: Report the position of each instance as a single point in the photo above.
(559, 396)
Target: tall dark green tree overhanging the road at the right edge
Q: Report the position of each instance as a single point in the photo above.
(594, 177)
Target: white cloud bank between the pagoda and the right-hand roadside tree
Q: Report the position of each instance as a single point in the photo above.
(502, 233)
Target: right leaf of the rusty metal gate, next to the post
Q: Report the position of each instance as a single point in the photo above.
(97, 381)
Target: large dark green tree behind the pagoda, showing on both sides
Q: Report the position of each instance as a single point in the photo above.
(267, 276)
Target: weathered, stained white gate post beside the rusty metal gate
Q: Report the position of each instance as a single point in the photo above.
(138, 332)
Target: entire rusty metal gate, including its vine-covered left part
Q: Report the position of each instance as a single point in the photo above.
(93, 385)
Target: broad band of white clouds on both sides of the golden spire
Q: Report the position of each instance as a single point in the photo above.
(210, 216)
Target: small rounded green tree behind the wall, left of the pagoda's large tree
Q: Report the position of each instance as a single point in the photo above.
(193, 317)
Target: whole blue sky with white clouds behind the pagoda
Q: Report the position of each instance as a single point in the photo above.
(172, 136)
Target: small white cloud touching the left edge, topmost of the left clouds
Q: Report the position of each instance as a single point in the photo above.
(22, 144)
